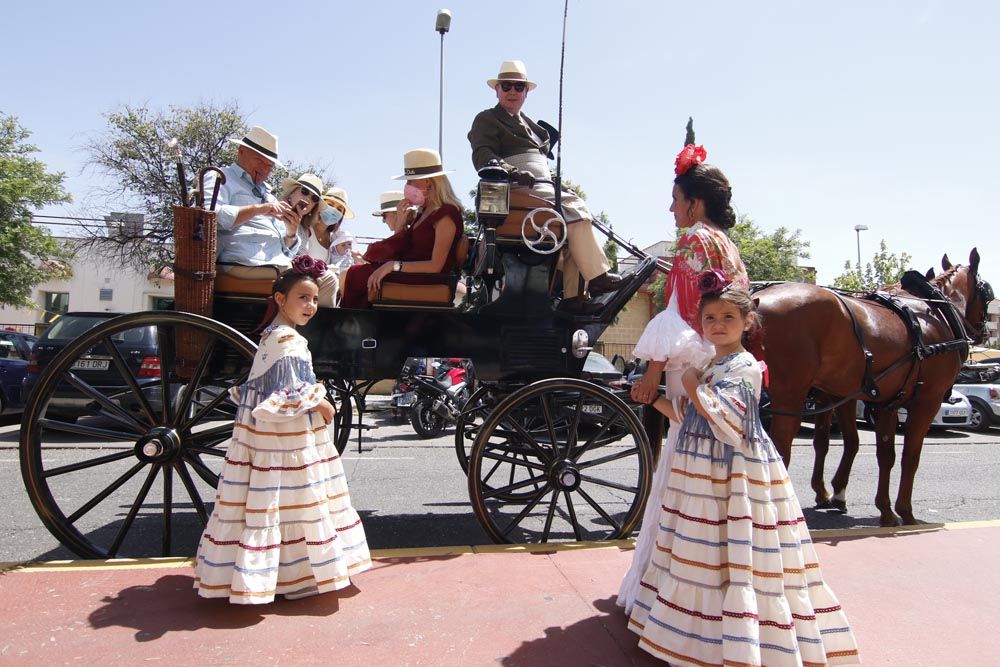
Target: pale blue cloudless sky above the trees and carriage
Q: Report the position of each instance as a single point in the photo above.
(823, 115)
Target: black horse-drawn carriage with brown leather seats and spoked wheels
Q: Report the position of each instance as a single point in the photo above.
(548, 456)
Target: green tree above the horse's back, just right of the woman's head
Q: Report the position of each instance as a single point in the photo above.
(771, 256)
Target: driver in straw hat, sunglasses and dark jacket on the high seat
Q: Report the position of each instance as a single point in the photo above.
(521, 145)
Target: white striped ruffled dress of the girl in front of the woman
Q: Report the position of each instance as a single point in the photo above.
(734, 578)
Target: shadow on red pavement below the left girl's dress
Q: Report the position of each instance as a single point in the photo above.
(172, 605)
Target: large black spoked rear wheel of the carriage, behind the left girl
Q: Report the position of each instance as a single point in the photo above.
(108, 448)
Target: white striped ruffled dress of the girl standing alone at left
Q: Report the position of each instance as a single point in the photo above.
(283, 523)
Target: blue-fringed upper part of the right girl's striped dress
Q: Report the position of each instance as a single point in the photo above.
(728, 398)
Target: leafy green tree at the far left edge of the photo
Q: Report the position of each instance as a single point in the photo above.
(28, 254)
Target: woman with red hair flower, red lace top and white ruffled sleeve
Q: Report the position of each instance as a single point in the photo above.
(672, 341)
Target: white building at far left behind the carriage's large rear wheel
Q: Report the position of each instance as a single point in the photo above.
(96, 285)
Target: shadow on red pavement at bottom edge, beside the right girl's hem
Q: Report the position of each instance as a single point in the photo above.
(602, 639)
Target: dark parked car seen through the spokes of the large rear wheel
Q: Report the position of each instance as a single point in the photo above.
(137, 347)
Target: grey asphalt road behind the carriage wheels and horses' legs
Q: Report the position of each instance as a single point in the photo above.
(411, 492)
